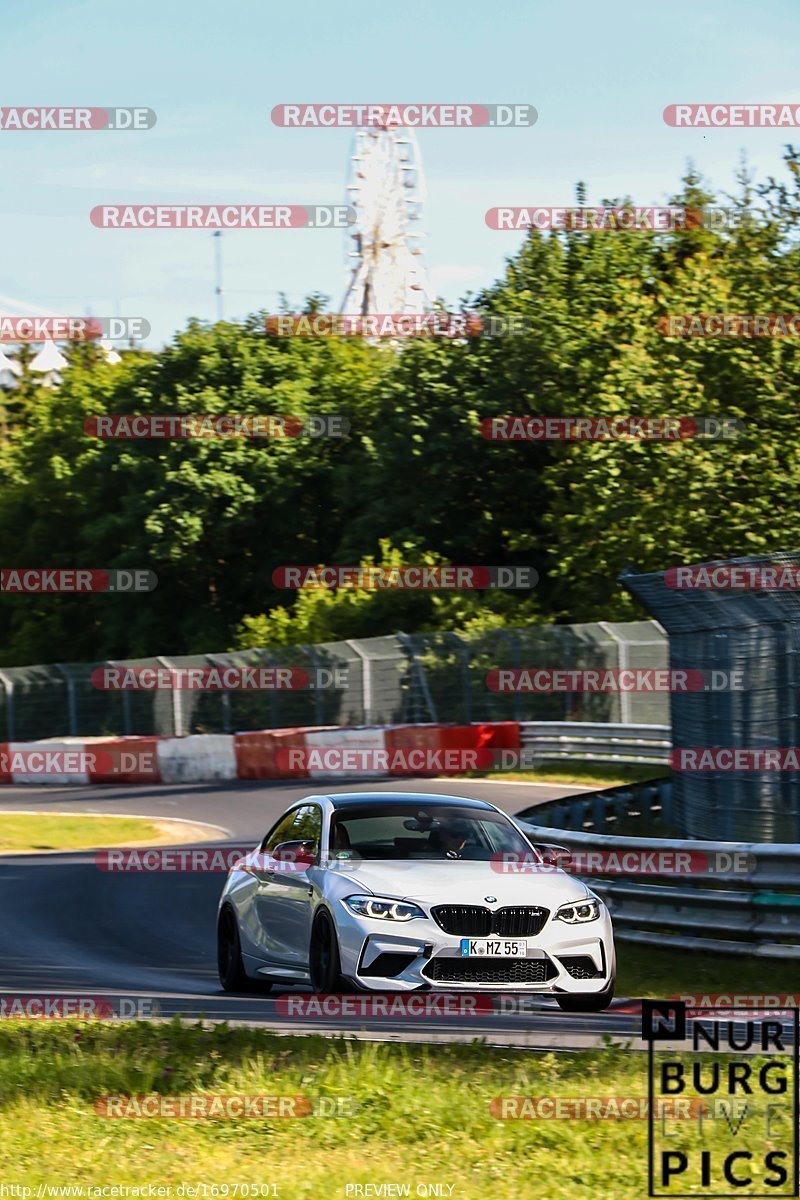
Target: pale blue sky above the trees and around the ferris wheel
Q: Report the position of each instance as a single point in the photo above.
(599, 74)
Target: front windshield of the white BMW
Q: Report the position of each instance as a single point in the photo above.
(431, 831)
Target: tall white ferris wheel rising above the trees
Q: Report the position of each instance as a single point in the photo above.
(387, 189)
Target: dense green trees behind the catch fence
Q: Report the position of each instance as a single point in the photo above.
(416, 482)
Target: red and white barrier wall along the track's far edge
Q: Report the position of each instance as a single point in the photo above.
(317, 753)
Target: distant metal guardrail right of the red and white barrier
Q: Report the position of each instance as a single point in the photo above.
(600, 743)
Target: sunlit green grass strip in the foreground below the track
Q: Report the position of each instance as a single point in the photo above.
(424, 1114)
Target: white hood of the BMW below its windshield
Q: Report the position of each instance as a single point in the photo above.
(465, 883)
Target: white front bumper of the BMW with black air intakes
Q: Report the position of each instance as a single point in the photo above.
(408, 957)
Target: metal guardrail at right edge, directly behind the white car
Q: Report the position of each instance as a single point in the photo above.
(725, 911)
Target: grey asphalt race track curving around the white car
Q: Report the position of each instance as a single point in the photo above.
(71, 929)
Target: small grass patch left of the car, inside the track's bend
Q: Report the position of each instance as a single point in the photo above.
(38, 832)
